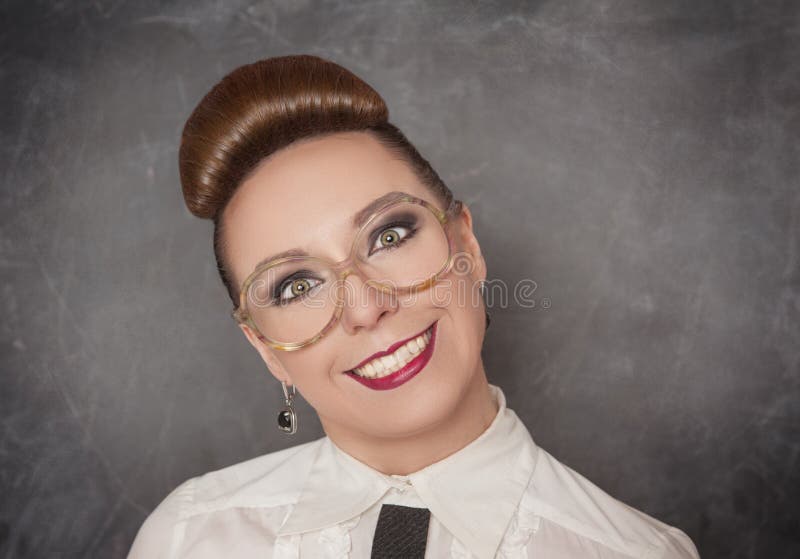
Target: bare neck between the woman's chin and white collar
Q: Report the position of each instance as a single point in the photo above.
(405, 455)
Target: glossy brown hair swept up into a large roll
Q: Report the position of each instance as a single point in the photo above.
(260, 108)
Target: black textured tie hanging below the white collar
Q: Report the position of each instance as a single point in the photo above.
(401, 533)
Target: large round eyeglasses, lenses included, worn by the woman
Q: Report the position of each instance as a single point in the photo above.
(403, 247)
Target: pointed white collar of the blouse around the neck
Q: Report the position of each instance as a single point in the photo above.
(474, 492)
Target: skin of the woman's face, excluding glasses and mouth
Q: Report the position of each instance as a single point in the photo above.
(305, 197)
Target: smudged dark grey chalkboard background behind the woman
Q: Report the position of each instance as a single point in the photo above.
(638, 160)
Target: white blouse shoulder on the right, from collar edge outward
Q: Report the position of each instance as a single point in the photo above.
(569, 502)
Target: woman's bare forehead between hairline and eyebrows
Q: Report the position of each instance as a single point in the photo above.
(305, 195)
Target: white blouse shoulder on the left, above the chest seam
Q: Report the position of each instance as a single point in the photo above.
(267, 481)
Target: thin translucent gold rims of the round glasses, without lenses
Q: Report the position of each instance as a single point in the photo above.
(347, 266)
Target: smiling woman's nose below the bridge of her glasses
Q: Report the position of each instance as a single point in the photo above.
(365, 305)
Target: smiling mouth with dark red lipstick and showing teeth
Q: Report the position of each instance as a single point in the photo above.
(389, 369)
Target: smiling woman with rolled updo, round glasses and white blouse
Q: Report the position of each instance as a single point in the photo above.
(351, 269)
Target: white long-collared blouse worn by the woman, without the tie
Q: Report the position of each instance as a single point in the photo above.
(500, 496)
